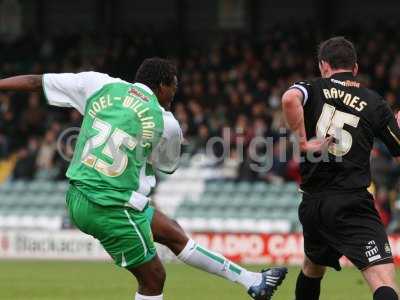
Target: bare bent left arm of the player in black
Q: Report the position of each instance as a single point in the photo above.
(293, 112)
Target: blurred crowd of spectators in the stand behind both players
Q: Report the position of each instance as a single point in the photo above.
(230, 89)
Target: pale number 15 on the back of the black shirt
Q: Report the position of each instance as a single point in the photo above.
(331, 123)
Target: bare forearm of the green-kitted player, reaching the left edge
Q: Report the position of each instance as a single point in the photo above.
(27, 83)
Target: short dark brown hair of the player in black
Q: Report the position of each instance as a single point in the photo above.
(339, 52)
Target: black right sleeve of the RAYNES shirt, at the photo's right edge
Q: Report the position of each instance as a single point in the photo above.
(388, 130)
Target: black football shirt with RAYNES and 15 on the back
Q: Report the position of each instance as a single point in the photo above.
(353, 115)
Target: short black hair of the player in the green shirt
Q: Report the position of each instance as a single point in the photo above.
(155, 71)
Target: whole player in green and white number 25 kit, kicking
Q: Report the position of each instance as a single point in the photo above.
(126, 133)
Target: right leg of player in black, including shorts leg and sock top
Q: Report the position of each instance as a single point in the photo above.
(368, 248)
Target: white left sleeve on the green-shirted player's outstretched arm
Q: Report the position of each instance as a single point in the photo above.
(73, 89)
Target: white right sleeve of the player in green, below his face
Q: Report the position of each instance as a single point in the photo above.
(166, 155)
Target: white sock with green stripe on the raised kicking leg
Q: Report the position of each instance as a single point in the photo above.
(211, 262)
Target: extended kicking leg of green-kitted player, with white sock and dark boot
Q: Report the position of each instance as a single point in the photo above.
(169, 233)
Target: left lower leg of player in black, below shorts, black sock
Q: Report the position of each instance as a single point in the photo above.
(308, 284)
